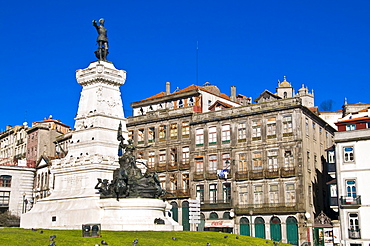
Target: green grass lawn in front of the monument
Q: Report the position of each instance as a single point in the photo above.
(27, 237)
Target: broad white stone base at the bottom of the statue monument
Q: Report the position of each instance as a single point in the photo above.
(127, 214)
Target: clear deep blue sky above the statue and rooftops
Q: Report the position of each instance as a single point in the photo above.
(249, 44)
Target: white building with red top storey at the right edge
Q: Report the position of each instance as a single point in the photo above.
(352, 142)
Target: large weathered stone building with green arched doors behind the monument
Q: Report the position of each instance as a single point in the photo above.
(252, 166)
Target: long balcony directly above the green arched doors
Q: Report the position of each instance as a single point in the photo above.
(266, 208)
